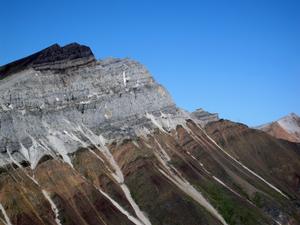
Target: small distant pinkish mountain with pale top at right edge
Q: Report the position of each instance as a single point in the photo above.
(287, 128)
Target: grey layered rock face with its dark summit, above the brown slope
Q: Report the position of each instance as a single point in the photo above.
(60, 96)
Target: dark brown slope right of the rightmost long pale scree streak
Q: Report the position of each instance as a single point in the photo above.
(275, 160)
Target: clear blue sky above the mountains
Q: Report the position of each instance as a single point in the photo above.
(238, 58)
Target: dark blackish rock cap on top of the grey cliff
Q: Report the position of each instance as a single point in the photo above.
(49, 56)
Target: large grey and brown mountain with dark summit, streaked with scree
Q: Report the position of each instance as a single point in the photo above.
(89, 142)
